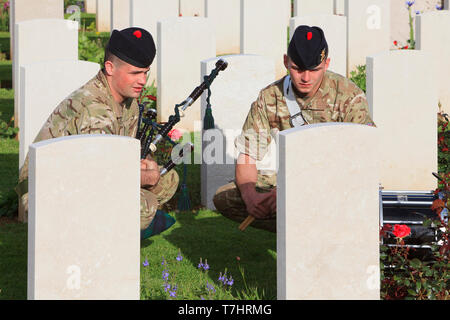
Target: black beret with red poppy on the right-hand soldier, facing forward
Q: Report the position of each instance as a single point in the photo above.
(308, 47)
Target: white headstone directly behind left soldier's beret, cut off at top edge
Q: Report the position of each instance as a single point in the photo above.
(145, 14)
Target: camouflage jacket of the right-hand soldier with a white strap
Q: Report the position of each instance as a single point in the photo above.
(337, 100)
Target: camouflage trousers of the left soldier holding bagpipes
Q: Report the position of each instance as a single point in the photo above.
(151, 199)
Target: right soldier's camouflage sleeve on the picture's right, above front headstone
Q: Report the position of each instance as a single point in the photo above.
(357, 108)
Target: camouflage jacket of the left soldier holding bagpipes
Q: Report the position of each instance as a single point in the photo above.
(88, 110)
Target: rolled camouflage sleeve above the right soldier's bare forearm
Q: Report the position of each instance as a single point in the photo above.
(255, 136)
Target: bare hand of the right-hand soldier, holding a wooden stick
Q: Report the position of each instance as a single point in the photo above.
(261, 205)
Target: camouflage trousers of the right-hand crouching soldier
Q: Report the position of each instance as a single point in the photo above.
(228, 201)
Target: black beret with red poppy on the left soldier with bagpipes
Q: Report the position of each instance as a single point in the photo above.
(133, 45)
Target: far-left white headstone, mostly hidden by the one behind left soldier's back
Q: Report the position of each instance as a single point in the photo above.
(42, 40)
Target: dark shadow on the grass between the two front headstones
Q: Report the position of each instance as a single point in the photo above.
(210, 236)
